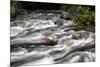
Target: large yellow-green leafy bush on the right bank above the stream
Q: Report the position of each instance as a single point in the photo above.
(85, 16)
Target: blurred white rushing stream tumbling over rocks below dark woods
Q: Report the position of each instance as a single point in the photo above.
(48, 37)
